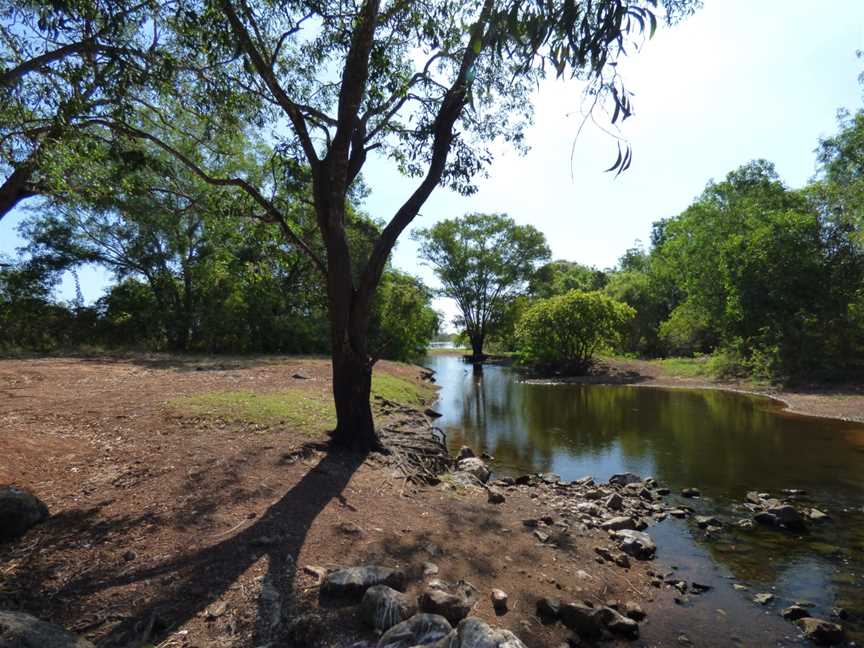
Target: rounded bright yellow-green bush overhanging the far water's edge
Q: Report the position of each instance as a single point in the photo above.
(564, 331)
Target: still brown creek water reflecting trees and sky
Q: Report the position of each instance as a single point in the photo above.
(722, 443)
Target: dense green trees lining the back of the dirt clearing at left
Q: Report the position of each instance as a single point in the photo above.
(189, 274)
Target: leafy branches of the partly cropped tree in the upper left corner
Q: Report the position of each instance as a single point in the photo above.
(61, 66)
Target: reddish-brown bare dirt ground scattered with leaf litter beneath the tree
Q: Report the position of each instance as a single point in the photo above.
(182, 531)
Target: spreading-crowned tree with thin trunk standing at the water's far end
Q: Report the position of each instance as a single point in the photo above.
(483, 261)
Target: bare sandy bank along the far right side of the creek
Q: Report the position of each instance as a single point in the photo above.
(844, 402)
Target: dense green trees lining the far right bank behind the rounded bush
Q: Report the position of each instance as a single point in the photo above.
(766, 280)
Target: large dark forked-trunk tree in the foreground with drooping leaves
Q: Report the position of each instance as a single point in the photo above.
(429, 85)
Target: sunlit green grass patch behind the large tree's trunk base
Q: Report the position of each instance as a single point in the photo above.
(297, 407)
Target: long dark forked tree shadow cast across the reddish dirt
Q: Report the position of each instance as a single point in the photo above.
(194, 581)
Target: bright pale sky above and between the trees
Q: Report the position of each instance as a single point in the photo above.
(738, 80)
